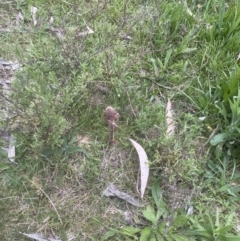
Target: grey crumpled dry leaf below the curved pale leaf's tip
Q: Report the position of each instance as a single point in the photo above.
(112, 191)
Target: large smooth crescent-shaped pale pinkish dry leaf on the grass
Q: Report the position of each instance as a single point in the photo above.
(144, 165)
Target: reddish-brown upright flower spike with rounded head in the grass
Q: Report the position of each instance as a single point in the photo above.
(110, 116)
